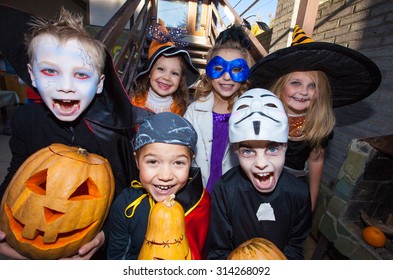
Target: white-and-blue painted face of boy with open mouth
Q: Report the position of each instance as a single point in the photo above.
(65, 76)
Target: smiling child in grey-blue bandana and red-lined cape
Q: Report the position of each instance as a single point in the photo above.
(164, 146)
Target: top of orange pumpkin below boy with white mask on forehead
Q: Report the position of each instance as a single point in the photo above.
(257, 249)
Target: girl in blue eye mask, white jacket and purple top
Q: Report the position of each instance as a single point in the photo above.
(226, 78)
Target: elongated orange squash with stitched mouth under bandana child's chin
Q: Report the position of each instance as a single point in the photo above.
(166, 233)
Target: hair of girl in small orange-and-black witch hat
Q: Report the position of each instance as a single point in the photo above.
(180, 96)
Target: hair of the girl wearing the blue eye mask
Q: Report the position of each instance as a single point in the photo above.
(204, 86)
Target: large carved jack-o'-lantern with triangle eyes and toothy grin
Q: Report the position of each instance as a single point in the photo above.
(56, 202)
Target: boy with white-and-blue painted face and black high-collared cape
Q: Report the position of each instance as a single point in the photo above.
(67, 67)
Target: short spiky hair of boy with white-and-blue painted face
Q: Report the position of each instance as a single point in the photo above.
(67, 26)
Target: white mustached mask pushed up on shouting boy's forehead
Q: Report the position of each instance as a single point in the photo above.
(258, 114)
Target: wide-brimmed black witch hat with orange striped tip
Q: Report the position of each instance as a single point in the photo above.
(352, 76)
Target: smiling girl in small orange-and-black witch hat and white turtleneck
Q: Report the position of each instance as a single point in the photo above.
(162, 83)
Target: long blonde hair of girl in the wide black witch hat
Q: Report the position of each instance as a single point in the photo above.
(320, 120)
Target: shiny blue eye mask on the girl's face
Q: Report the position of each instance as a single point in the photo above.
(237, 69)
